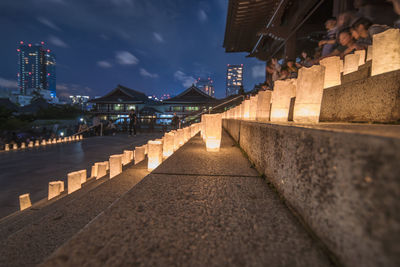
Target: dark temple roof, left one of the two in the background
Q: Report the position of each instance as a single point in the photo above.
(122, 94)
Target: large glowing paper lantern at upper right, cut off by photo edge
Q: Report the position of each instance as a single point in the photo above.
(386, 51)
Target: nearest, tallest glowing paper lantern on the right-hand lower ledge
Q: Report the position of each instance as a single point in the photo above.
(310, 86)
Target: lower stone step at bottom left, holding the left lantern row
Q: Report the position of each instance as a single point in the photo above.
(29, 238)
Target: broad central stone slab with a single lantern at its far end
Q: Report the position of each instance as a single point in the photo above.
(196, 209)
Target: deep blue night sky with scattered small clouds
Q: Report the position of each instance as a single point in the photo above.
(153, 46)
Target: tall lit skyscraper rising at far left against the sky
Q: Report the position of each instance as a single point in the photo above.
(37, 68)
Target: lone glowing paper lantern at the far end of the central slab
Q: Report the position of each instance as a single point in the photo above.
(213, 132)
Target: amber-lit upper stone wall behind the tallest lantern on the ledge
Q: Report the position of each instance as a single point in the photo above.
(372, 99)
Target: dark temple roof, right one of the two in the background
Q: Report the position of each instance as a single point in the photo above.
(191, 95)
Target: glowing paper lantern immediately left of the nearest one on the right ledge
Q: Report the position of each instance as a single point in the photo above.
(283, 91)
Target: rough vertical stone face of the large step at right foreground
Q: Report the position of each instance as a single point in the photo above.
(344, 185)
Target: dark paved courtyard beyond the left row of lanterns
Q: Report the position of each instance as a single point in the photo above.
(30, 170)
